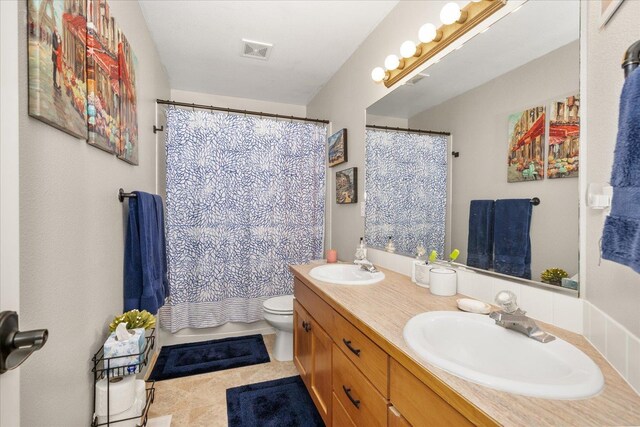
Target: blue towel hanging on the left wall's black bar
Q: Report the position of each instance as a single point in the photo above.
(145, 260)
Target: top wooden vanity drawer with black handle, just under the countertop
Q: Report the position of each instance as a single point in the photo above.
(372, 361)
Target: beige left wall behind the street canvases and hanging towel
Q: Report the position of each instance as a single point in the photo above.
(72, 237)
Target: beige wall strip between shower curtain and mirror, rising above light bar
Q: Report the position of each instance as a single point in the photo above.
(344, 100)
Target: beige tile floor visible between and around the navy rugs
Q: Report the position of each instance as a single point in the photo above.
(200, 400)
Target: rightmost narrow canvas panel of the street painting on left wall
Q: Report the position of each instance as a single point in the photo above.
(127, 148)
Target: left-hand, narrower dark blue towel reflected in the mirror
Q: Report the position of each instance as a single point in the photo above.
(480, 240)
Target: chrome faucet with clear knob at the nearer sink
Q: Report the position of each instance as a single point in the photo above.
(512, 317)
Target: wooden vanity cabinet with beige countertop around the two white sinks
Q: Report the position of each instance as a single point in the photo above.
(350, 352)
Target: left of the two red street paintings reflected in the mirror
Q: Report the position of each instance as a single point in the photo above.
(525, 159)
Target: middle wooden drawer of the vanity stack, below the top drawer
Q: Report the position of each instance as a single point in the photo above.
(364, 405)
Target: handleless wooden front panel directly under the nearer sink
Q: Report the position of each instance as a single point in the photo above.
(420, 405)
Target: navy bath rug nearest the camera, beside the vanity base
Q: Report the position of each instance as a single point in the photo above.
(277, 403)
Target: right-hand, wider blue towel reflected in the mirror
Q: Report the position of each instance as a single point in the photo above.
(511, 237)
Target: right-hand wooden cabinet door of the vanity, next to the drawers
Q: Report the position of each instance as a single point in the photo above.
(320, 386)
